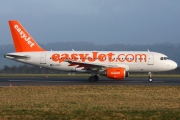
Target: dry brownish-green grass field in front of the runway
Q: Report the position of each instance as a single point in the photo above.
(90, 102)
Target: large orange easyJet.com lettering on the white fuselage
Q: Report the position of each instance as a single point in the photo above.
(101, 57)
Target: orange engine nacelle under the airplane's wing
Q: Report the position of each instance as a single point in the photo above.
(114, 73)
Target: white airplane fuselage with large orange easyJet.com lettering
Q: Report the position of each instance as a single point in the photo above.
(136, 61)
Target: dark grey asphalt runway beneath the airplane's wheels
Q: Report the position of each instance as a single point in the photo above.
(83, 81)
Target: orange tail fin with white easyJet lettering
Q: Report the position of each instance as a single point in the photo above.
(23, 42)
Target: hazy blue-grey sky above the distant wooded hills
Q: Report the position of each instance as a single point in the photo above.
(98, 21)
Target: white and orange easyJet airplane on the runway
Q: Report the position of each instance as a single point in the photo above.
(112, 64)
